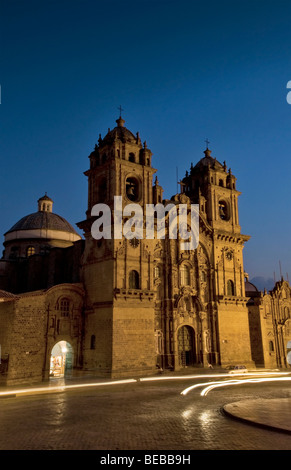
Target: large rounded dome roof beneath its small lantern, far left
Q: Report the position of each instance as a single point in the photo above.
(43, 220)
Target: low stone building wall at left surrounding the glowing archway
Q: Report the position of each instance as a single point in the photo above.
(32, 323)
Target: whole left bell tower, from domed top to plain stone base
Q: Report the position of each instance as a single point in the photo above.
(117, 273)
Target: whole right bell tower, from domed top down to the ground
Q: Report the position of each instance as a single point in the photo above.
(213, 187)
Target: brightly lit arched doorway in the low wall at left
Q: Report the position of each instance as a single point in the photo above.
(61, 360)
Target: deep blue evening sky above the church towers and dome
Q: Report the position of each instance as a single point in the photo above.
(182, 70)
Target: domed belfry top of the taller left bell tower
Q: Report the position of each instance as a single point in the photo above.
(120, 165)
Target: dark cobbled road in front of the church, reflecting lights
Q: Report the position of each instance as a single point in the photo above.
(145, 416)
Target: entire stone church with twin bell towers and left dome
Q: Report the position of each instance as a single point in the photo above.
(119, 307)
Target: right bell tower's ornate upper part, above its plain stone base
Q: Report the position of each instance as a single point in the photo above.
(213, 186)
